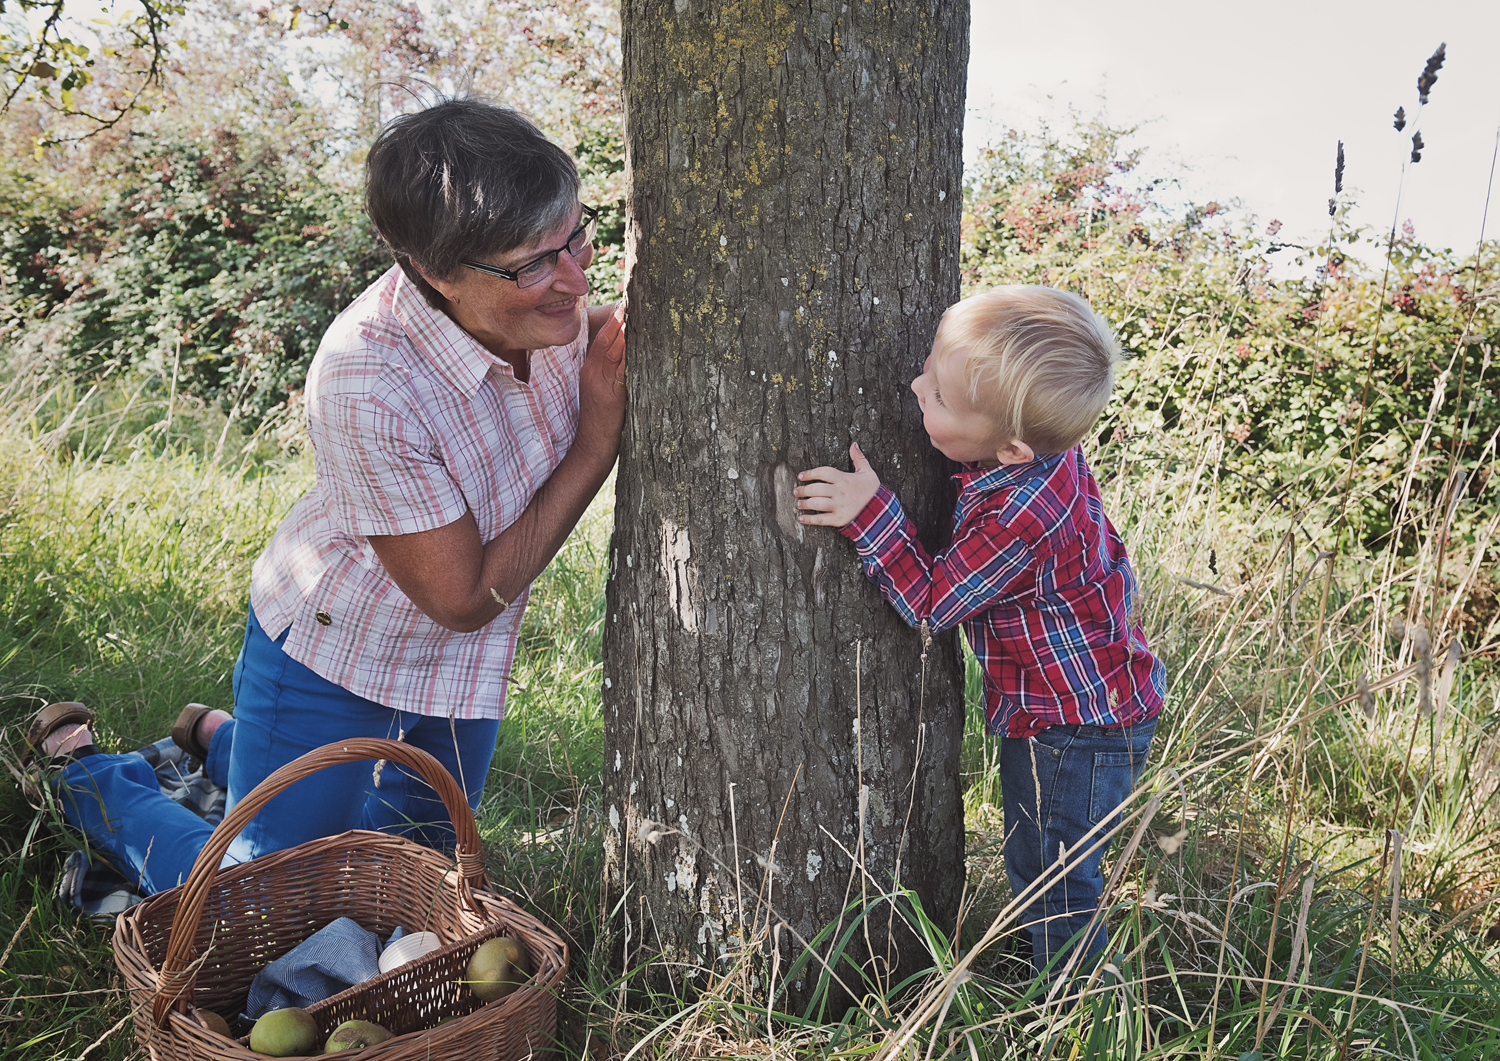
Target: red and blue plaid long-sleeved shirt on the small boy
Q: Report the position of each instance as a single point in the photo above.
(1040, 580)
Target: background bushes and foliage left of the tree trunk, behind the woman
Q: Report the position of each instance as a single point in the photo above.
(206, 248)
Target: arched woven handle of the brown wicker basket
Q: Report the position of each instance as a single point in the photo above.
(178, 975)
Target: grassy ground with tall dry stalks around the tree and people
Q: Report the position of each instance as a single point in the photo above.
(1309, 873)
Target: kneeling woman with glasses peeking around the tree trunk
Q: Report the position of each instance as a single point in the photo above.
(464, 410)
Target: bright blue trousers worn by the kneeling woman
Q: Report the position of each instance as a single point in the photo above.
(281, 712)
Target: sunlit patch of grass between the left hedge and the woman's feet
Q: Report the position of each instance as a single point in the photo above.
(137, 565)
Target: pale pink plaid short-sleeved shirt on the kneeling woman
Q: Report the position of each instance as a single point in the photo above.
(413, 424)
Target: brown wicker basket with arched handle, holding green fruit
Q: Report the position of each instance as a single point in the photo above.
(200, 945)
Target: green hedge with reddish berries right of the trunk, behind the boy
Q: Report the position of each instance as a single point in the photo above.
(1292, 380)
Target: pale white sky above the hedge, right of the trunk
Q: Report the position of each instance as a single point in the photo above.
(1250, 101)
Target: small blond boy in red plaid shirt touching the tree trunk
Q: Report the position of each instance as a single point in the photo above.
(1037, 576)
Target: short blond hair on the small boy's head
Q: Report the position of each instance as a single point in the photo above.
(1040, 362)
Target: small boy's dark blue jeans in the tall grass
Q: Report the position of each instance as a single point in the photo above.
(1058, 786)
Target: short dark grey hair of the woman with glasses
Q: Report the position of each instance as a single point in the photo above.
(464, 179)
